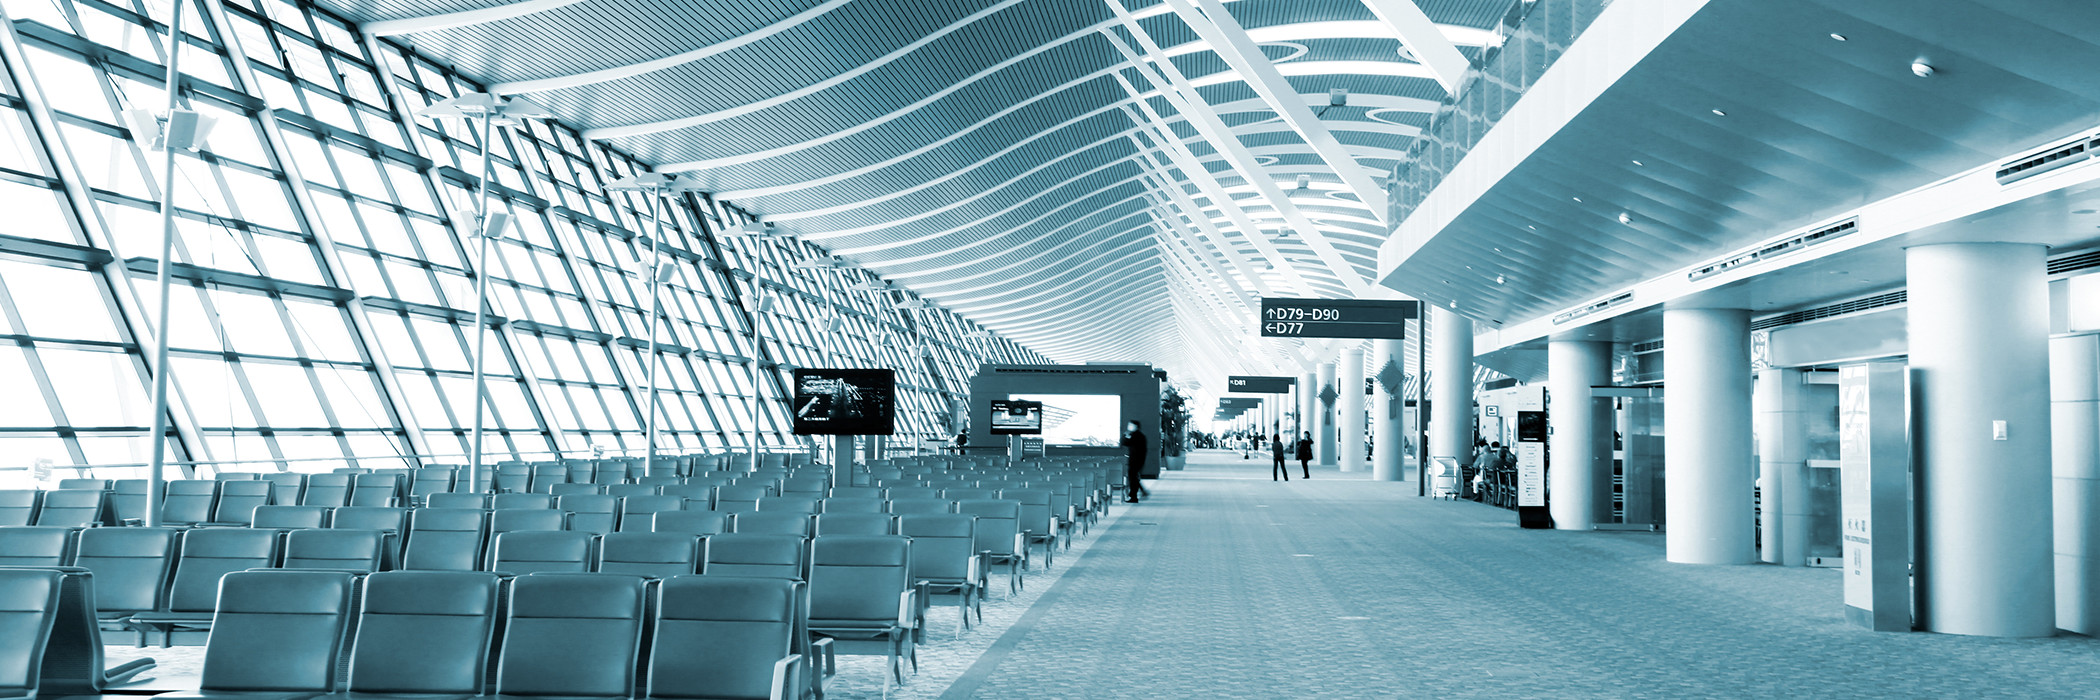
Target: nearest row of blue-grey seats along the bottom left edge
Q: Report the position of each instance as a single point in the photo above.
(295, 634)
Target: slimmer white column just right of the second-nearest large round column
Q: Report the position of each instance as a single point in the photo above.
(1780, 411)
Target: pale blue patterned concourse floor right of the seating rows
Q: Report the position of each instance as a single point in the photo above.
(1230, 585)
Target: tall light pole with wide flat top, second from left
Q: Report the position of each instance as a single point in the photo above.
(488, 112)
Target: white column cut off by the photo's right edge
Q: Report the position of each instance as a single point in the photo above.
(2076, 461)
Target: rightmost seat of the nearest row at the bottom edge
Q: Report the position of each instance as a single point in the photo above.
(744, 627)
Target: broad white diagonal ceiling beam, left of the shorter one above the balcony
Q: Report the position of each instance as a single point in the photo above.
(1217, 26)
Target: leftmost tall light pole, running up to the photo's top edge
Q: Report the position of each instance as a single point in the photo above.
(171, 131)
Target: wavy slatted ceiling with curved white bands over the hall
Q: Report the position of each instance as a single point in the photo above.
(988, 155)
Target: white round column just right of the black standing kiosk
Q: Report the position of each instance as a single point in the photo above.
(1580, 478)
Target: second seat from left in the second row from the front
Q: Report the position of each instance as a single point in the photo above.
(131, 569)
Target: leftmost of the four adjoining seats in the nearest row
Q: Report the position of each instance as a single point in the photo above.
(276, 634)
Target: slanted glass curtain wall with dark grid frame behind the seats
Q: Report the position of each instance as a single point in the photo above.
(322, 306)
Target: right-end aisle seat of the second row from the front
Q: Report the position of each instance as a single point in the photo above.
(862, 590)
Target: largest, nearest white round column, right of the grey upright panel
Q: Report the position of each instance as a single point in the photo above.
(1979, 361)
